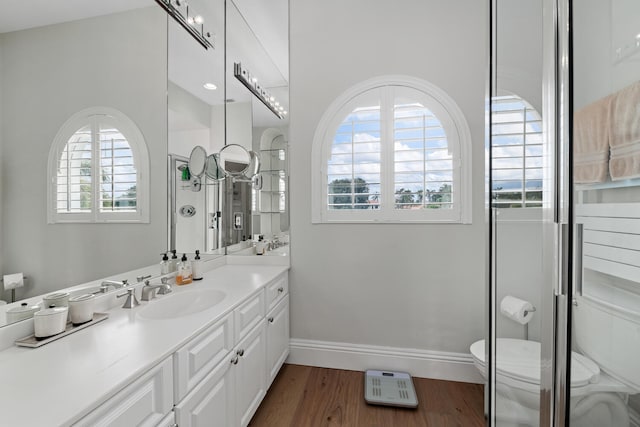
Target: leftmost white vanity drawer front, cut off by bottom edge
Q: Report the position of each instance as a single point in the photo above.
(145, 402)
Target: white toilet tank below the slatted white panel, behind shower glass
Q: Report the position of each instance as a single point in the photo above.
(610, 336)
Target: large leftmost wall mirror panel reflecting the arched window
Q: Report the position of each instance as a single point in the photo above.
(55, 62)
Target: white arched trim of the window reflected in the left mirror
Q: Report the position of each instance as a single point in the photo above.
(141, 158)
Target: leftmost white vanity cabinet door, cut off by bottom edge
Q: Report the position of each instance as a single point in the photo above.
(211, 402)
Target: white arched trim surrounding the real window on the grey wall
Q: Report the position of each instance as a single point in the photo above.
(323, 139)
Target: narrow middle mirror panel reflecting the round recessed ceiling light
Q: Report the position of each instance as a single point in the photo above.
(196, 119)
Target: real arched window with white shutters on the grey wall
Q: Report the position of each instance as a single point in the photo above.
(392, 149)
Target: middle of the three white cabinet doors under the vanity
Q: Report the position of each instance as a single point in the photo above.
(250, 374)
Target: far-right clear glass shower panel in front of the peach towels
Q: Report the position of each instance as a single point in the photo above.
(605, 136)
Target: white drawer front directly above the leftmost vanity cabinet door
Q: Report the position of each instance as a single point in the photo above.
(198, 357)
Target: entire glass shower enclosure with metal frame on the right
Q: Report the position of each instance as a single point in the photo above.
(563, 210)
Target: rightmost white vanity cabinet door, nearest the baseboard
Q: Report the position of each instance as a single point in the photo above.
(277, 338)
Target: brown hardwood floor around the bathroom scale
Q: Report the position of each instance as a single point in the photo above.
(304, 396)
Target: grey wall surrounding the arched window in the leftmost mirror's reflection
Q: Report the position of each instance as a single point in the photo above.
(45, 80)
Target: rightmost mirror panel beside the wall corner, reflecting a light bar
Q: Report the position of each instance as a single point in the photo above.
(258, 44)
